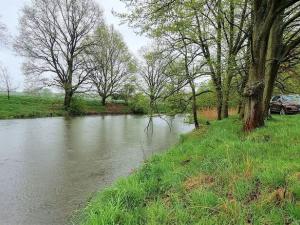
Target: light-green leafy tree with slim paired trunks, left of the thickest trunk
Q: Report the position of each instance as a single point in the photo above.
(219, 29)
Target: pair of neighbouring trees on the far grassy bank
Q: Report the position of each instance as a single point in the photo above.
(68, 45)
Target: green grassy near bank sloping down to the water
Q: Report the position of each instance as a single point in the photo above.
(215, 176)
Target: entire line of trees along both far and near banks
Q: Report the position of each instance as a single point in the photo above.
(242, 48)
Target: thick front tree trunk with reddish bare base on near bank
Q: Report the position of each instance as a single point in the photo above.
(254, 91)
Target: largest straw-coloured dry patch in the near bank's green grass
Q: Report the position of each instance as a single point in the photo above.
(198, 181)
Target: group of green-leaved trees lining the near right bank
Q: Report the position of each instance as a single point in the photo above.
(244, 46)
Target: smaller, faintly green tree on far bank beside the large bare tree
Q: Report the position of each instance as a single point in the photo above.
(110, 62)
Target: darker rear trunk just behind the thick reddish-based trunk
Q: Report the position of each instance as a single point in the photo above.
(275, 47)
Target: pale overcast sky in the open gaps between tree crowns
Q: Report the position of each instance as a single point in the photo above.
(10, 13)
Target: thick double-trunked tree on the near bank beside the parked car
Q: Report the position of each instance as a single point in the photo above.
(267, 27)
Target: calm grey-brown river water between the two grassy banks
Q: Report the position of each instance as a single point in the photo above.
(50, 167)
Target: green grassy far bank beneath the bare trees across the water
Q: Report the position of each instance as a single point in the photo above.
(33, 106)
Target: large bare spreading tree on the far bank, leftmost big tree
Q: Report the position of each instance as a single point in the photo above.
(53, 39)
